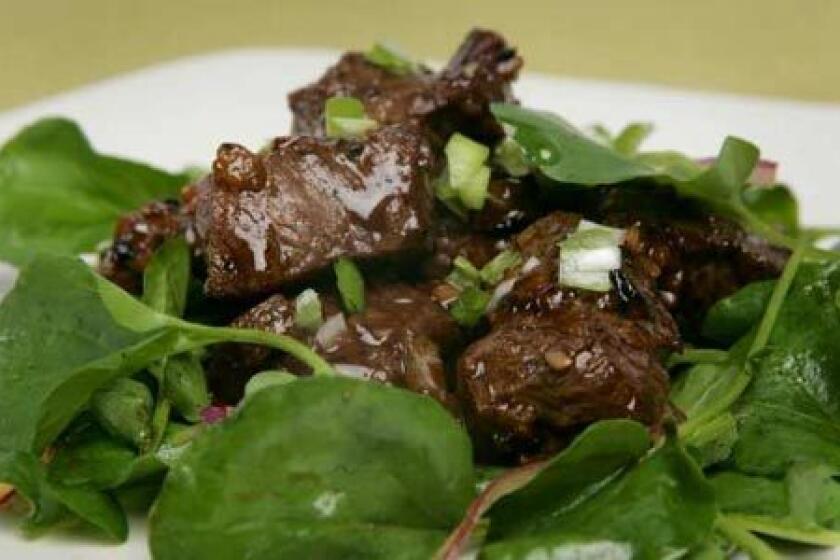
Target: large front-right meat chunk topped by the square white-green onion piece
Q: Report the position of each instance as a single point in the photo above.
(558, 358)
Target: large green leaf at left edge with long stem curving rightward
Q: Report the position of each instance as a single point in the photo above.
(66, 332)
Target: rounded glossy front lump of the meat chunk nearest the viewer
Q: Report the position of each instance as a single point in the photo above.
(537, 378)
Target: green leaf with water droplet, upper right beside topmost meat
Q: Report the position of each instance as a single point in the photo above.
(566, 154)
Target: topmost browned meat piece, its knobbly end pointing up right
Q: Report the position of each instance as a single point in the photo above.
(457, 98)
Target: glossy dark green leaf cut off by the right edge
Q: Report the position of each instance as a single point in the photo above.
(791, 411)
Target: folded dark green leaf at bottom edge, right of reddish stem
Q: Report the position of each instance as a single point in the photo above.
(580, 503)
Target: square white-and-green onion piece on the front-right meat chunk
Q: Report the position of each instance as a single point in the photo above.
(588, 255)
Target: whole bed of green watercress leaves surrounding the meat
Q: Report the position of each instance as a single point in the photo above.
(104, 411)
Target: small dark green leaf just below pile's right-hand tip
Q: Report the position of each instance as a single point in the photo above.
(733, 316)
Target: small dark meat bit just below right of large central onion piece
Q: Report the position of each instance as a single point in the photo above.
(511, 204)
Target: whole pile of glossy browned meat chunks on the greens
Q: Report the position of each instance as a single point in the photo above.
(545, 361)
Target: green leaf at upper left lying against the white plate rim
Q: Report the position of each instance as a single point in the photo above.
(57, 195)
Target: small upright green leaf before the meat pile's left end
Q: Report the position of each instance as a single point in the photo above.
(166, 278)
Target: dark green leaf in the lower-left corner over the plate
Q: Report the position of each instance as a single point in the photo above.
(52, 502)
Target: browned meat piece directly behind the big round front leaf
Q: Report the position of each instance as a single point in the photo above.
(398, 339)
